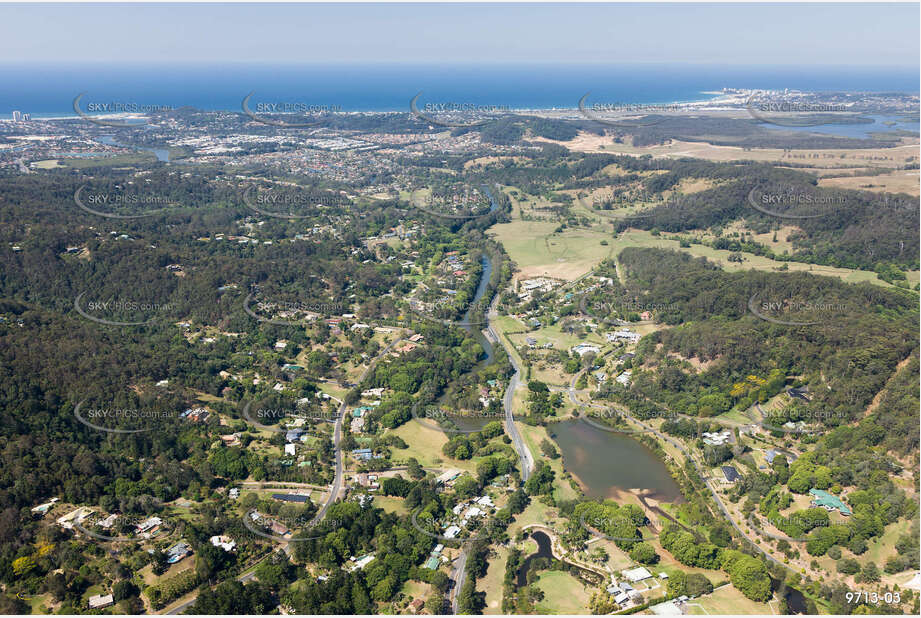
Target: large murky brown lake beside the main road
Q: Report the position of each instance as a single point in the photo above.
(604, 462)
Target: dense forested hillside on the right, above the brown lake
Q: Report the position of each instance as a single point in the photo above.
(846, 354)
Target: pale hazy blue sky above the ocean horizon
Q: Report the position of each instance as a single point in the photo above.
(743, 34)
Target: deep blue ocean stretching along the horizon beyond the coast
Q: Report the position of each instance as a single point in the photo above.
(46, 91)
